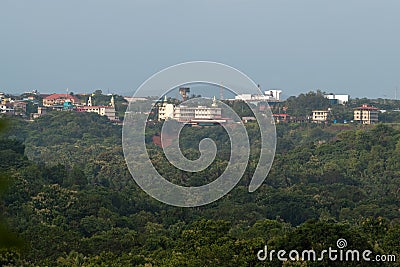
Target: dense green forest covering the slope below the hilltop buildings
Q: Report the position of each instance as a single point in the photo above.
(70, 200)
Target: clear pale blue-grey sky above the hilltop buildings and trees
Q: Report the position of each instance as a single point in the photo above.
(339, 46)
